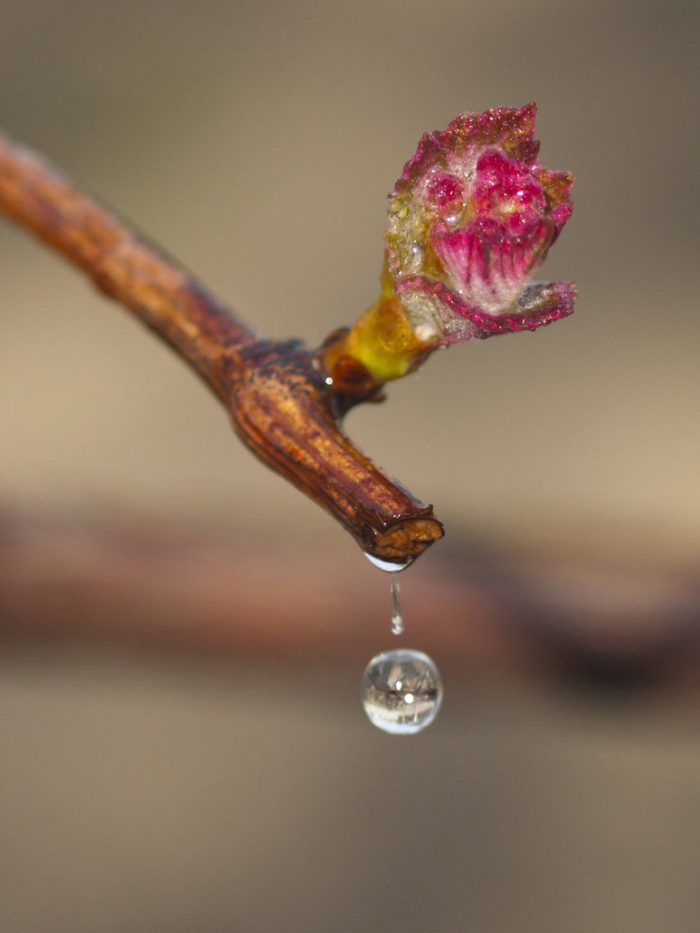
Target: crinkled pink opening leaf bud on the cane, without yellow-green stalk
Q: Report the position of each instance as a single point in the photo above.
(470, 218)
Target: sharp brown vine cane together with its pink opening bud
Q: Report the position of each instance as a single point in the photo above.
(469, 219)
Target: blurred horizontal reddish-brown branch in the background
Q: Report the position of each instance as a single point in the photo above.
(507, 619)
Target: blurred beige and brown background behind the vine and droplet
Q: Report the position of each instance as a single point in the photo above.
(183, 633)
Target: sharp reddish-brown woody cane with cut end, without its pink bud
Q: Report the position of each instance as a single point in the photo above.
(284, 406)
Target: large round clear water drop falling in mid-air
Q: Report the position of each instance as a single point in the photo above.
(401, 691)
